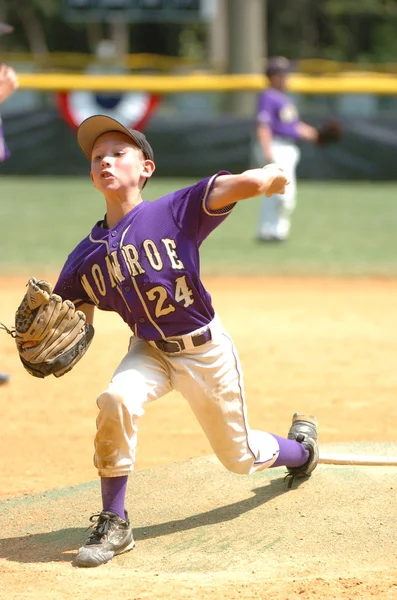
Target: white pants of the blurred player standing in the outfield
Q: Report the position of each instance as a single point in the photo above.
(275, 212)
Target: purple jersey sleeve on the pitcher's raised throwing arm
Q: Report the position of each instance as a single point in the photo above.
(190, 209)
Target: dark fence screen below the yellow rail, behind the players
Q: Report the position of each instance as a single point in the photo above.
(42, 143)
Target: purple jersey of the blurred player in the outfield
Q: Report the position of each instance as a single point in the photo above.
(276, 110)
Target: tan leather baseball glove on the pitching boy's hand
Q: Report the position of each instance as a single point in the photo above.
(50, 334)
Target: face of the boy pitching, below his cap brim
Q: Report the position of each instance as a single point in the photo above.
(117, 164)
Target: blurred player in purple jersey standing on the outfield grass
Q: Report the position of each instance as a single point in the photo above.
(278, 133)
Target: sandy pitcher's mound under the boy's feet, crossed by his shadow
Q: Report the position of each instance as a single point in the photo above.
(199, 527)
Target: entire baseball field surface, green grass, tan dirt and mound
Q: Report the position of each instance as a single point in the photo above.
(315, 324)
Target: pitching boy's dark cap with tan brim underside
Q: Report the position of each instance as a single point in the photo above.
(90, 129)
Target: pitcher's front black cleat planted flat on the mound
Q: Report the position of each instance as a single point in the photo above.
(112, 535)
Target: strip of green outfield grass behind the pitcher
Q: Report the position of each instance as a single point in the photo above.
(339, 228)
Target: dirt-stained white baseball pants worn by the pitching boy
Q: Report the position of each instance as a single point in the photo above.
(210, 379)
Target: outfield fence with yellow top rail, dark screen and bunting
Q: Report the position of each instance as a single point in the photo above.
(195, 129)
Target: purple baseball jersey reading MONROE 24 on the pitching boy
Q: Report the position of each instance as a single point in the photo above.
(147, 267)
